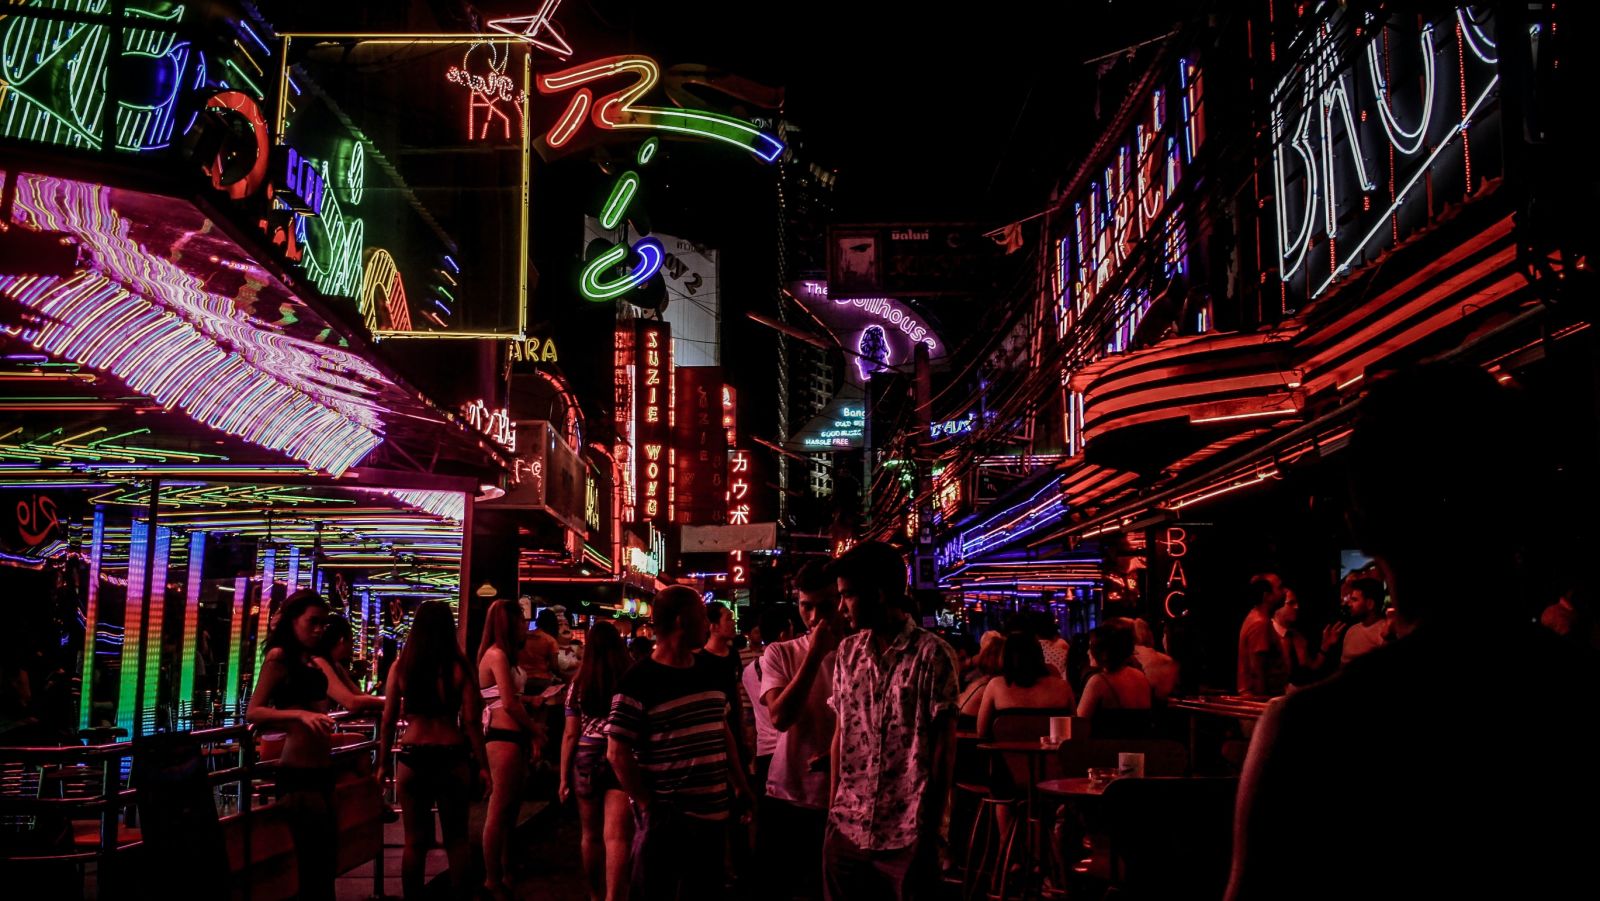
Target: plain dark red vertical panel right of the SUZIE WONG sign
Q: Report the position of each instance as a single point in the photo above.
(702, 450)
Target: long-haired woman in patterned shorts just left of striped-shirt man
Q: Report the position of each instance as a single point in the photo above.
(602, 804)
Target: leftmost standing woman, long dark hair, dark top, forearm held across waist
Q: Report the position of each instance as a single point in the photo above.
(292, 695)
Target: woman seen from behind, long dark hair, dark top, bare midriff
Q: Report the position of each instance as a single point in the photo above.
(441, 750)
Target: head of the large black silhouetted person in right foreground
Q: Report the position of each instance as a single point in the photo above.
(1417, 462)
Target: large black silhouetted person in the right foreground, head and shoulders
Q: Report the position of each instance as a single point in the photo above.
(1458, 783)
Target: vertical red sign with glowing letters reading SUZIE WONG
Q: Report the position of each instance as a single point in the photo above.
(654, 459)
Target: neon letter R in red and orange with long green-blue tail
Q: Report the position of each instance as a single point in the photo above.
(620, 110)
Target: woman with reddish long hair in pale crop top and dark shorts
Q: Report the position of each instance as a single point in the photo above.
(508, 734)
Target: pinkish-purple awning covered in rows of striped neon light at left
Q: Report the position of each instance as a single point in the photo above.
(153, 326)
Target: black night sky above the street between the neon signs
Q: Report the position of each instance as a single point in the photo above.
(927, 111)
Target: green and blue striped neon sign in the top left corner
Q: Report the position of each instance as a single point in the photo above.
(55, 78)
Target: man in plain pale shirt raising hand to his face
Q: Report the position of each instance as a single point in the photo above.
(798, 678)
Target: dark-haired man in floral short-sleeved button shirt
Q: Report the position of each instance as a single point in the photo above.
(895, 747)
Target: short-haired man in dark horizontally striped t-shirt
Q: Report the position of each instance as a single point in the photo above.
(671, 748)
